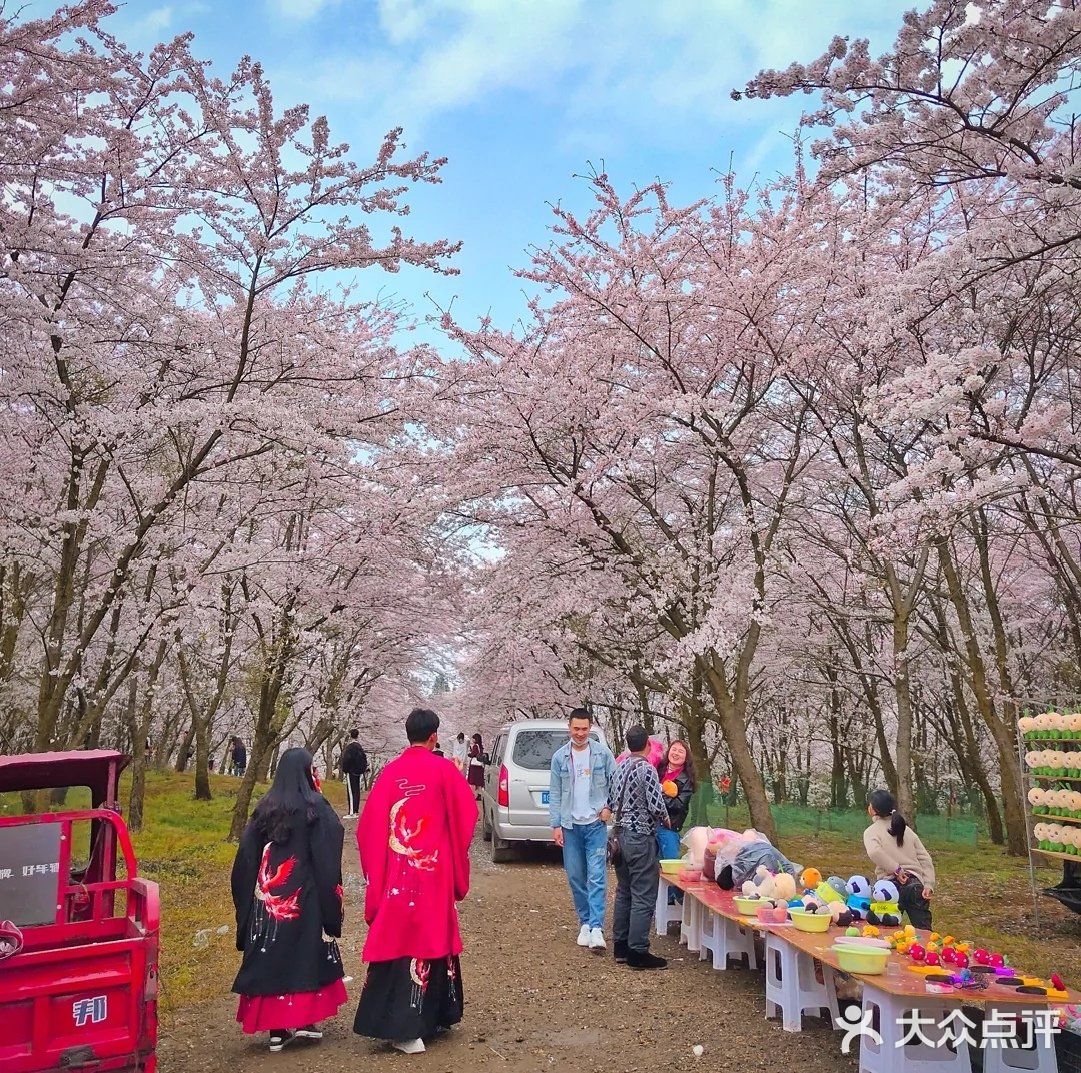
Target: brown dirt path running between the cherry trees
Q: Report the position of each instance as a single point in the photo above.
(537, 1002)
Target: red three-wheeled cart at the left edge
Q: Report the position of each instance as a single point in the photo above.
(79, 932)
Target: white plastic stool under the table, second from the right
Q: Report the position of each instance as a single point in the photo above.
(891, 1017)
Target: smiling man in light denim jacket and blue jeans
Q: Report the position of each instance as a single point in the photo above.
(579, 811)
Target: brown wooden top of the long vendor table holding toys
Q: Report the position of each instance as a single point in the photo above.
(906, 985)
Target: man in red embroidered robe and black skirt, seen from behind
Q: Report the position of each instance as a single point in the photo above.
(415, 837)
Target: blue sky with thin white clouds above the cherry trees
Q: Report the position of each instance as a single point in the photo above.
(522, 96)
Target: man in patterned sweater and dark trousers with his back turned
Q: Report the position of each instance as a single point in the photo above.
(640, 810)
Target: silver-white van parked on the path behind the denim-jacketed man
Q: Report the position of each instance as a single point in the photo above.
(515, 800)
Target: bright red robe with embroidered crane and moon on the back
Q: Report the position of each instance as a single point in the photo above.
(415, 837)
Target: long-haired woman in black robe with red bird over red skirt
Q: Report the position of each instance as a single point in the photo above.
(287, 891)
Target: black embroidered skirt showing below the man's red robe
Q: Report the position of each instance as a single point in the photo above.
(410, 999)
